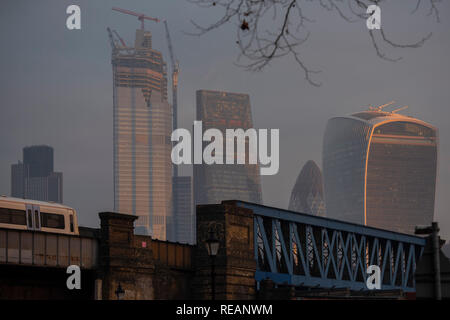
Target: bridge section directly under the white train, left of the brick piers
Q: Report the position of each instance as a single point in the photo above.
(33, 263)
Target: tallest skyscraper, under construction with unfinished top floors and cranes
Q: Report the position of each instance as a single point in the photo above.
(142, 128)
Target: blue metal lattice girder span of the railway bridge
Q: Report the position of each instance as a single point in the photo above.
(304, 250)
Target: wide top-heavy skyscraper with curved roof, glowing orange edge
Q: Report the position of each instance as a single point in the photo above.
(380, 170)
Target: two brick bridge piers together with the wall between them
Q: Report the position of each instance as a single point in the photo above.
(152, 269)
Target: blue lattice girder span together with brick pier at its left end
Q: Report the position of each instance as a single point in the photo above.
(302, 251)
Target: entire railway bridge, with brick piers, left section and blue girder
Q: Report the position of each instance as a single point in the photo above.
(257, 244)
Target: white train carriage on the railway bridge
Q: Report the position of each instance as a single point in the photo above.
(24, 214)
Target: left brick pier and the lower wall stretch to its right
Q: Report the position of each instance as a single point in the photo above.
(145, 268)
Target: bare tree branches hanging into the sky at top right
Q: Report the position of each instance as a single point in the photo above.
(269, 29)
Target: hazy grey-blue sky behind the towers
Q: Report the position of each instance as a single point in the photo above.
(56, 86)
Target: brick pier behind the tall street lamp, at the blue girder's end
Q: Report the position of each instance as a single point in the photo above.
(235, 264)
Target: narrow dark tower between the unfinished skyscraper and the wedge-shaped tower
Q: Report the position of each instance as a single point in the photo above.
(183, 220)
